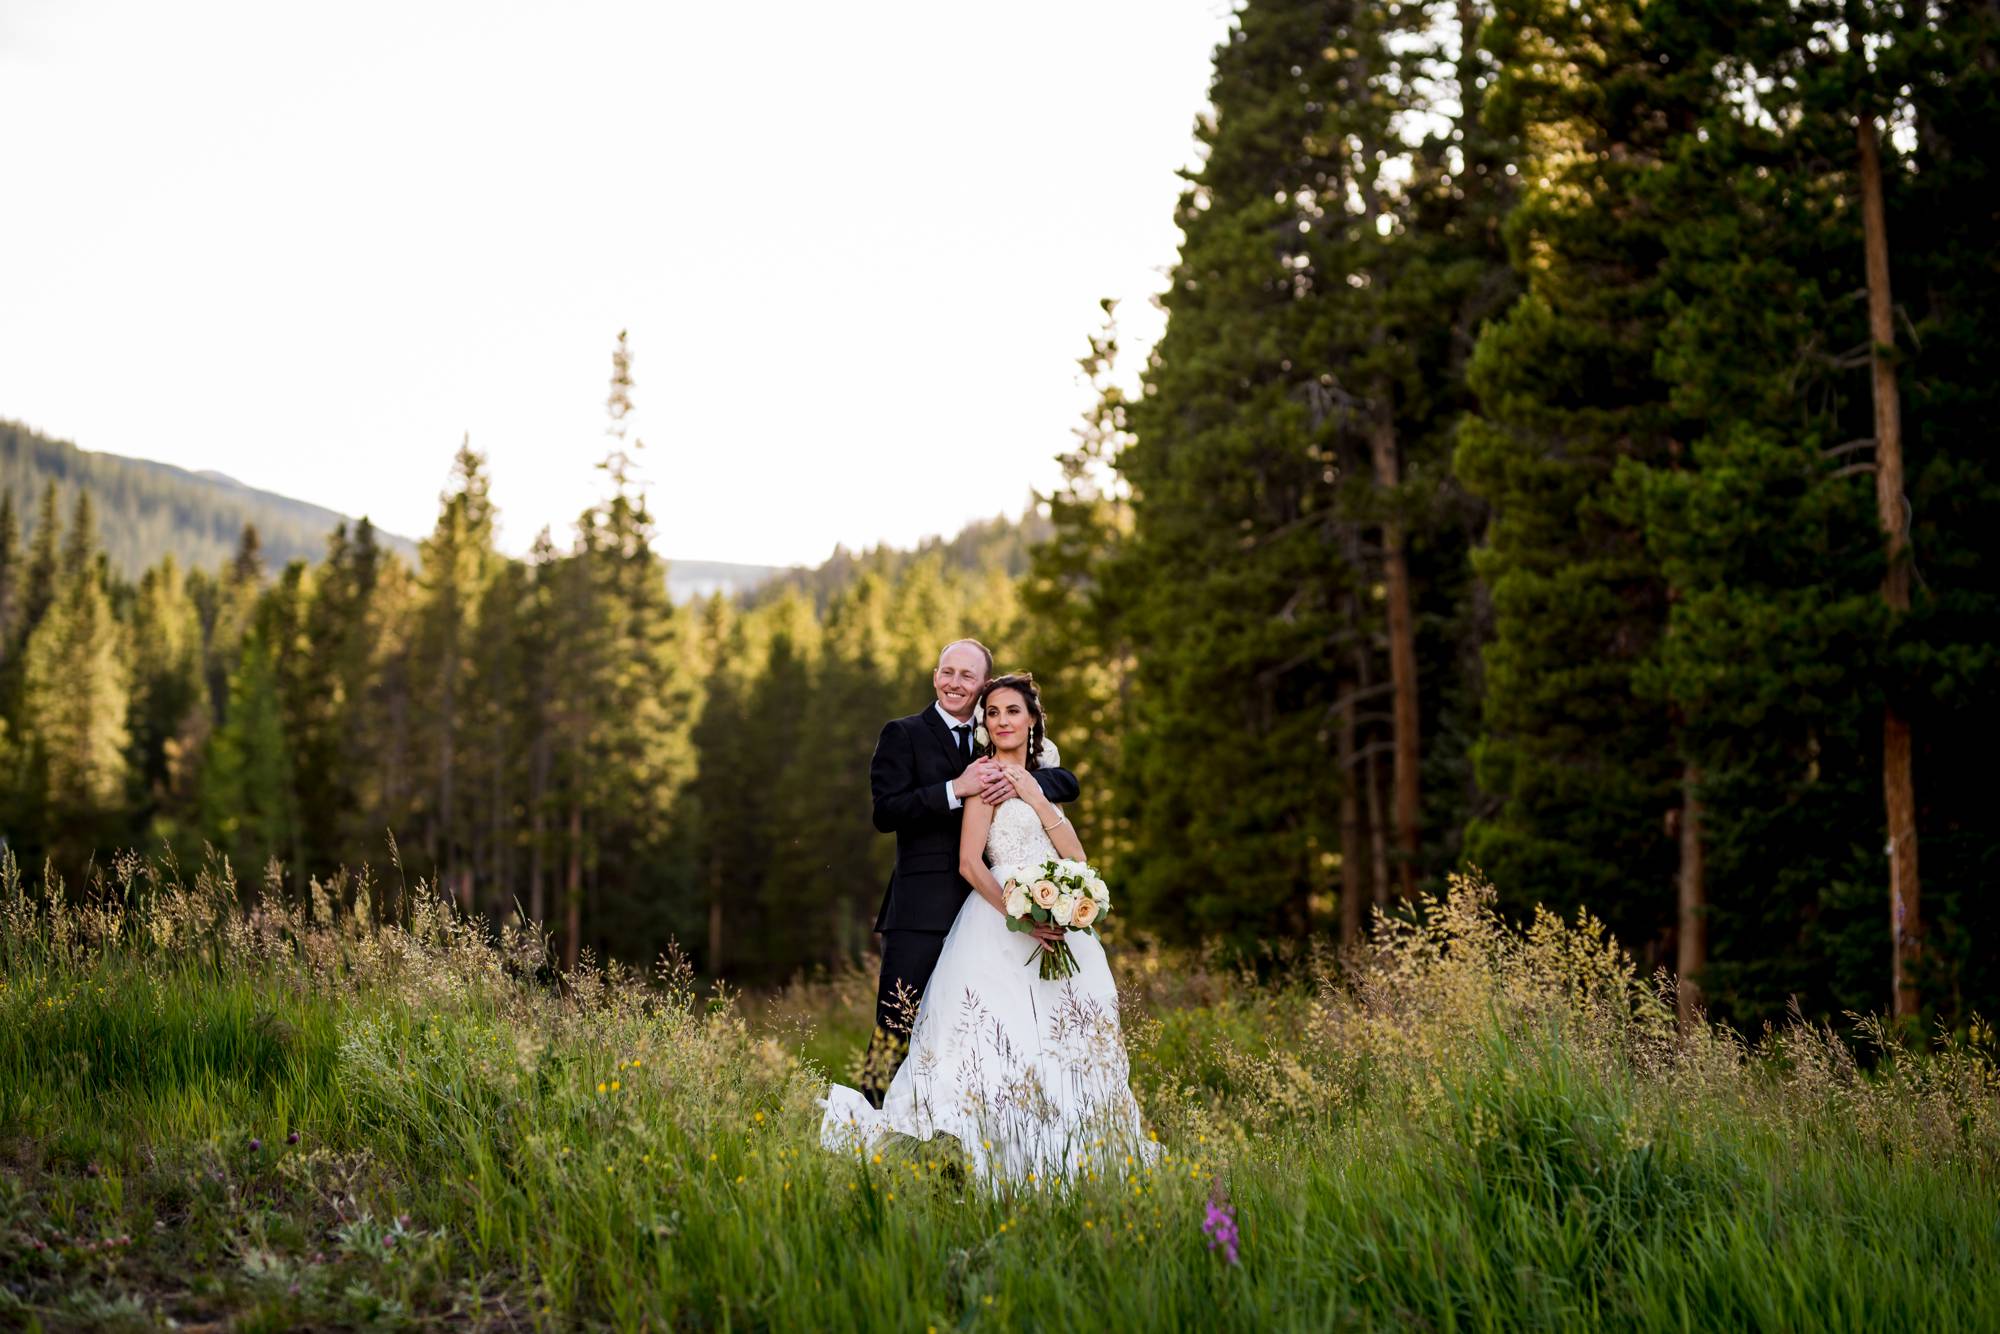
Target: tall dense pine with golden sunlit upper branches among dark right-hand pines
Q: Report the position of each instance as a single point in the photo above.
(1585, 773)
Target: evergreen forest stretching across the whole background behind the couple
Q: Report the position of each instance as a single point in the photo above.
(1569, 455)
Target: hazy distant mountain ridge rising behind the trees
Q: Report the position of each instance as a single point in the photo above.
(147, 509)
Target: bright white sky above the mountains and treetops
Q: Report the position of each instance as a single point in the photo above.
(857, 247)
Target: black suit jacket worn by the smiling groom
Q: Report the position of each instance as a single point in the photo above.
(915, 759)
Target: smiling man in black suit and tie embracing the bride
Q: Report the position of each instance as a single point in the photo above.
(921, 777)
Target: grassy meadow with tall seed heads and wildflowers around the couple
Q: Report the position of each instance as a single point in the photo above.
(349, 1113)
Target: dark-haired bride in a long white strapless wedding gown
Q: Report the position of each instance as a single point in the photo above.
(1029, 1077)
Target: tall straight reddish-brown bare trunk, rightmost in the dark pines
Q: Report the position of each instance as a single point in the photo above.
(1899, 787)
